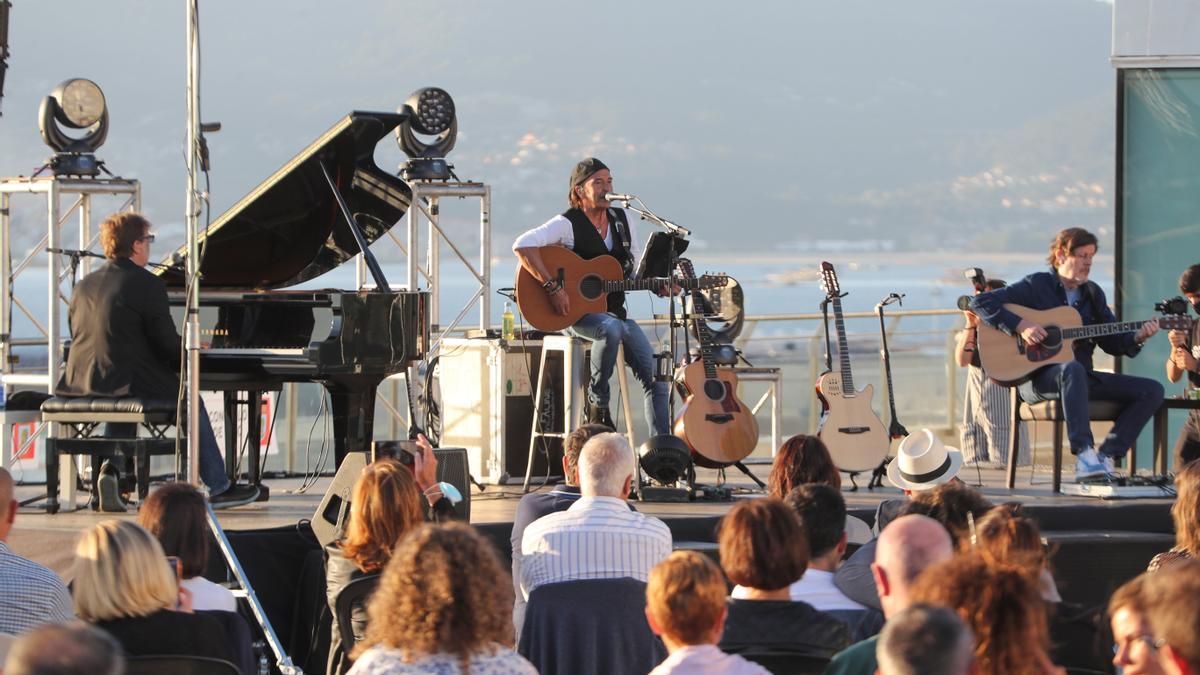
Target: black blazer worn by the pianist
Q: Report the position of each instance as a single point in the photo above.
(123, 339)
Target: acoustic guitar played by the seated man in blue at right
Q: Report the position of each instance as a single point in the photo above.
(1011, 361)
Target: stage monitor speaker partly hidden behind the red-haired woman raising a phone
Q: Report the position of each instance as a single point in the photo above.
(334, 511)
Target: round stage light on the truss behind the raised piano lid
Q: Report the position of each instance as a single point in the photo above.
(429, 112)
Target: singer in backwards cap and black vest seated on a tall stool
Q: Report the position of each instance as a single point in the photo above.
(593, 229)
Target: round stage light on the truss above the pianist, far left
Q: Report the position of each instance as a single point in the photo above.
(76, 104)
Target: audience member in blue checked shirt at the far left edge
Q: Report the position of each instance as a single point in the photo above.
(31, 595)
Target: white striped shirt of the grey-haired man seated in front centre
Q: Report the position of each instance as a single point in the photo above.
(596, 539)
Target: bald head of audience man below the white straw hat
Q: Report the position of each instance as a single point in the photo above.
(907, 548)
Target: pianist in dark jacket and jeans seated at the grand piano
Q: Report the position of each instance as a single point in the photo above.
(124, 344)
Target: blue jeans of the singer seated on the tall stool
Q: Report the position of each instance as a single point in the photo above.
(607, 333)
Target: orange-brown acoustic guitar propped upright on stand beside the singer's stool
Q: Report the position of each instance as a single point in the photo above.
(713, 422)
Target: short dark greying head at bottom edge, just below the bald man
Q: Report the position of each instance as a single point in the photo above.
(927, 641)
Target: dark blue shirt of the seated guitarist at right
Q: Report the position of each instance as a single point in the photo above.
(1045, 291)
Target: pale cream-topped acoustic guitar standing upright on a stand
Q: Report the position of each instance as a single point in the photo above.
(855, 435)
